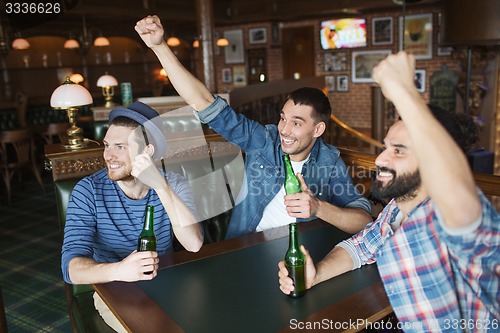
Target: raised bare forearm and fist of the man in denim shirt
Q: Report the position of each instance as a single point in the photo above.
(192, 90)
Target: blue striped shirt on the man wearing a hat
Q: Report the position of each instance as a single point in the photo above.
(104, 224)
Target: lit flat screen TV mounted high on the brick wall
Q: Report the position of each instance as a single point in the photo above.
(343, 33)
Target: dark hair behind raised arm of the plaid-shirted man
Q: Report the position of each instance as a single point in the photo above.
(462, 128)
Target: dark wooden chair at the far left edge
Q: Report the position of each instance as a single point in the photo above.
(17, 153)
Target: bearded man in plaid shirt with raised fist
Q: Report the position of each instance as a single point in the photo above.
(436, 243)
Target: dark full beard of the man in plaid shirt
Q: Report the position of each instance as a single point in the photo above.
(402, 188)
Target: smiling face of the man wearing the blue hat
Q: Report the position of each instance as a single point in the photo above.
(120, 149)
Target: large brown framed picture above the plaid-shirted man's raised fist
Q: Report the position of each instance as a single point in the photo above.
(416, 35)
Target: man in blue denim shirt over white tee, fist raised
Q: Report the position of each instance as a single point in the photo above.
(327, 189)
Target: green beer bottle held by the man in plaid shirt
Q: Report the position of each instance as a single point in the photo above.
(295, 262)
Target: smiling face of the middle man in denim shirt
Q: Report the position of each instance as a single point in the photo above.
(298, 130)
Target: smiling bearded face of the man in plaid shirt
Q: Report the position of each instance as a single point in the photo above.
(397, 170)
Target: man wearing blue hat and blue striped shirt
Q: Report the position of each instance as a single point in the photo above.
(106, 210)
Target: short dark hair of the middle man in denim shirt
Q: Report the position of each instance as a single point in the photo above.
(314, 98)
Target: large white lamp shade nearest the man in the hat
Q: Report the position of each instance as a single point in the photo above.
(69, 95)
